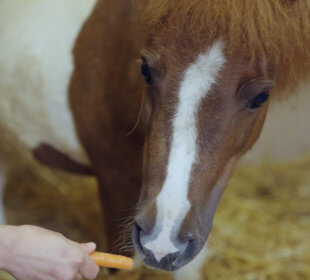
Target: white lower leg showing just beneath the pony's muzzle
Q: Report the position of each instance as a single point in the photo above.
(192, 270)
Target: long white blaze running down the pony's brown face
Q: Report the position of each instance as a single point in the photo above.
(172, 201)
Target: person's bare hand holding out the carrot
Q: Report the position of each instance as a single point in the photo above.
(34, 253)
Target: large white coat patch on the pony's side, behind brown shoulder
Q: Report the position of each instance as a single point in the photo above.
(36, 39)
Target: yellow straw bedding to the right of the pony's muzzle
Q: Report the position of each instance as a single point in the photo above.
(263, 224)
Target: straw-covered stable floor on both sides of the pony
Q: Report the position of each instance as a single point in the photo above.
(261, 228)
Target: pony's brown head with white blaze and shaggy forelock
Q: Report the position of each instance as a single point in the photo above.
(210, 69)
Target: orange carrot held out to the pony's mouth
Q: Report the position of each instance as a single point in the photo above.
(112, 261)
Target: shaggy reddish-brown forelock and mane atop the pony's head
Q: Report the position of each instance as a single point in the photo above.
(277, 31)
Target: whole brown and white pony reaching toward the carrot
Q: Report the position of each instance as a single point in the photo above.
(210, 70)
